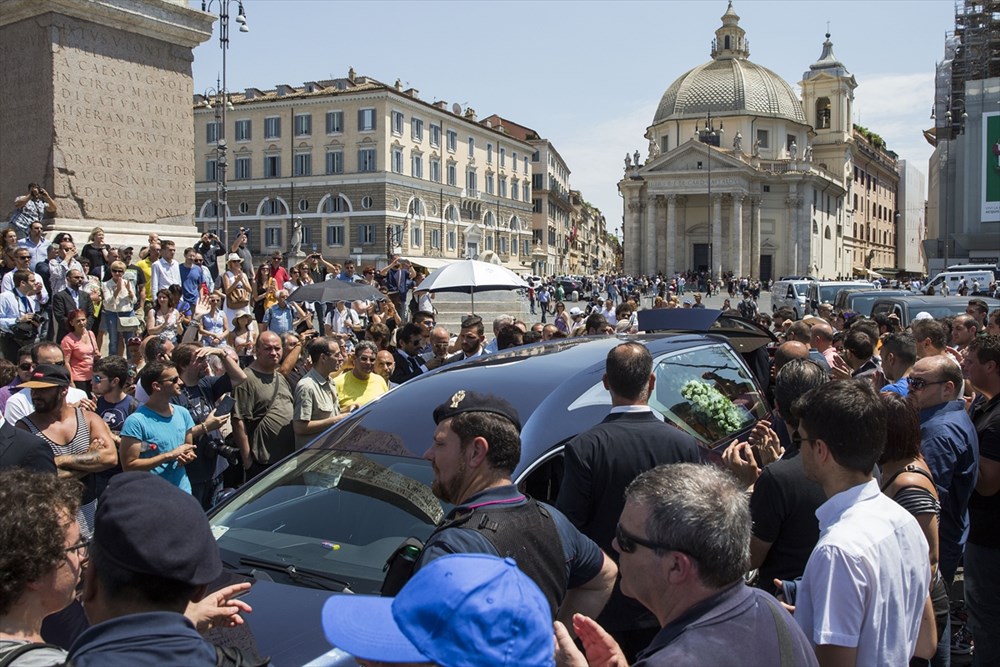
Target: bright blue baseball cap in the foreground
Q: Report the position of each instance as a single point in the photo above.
(460, 610)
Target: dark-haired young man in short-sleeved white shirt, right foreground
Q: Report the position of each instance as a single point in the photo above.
(867, 581)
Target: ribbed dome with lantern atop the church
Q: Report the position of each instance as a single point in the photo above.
(730, 84)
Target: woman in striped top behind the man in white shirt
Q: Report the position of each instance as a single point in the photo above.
(907, 480)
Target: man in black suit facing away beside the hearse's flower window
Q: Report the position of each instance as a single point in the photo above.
(602, 461)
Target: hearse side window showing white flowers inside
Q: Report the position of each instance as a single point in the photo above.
(707, 393)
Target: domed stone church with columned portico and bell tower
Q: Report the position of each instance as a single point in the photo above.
(741, 175)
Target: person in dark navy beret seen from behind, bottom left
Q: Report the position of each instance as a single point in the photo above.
(151, 558)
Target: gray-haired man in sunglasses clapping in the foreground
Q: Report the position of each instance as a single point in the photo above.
(683, 542)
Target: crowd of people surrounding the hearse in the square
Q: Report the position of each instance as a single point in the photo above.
(875, 480)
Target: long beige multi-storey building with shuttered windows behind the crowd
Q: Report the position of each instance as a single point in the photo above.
(370, 169)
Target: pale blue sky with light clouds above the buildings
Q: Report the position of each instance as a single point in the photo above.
(588, 75)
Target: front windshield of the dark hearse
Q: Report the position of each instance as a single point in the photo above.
(329, 518)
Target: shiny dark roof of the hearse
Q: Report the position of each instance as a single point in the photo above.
(540, 380)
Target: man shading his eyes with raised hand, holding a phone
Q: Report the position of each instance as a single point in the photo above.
(205, 395)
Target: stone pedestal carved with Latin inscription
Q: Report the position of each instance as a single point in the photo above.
(97, 108)
